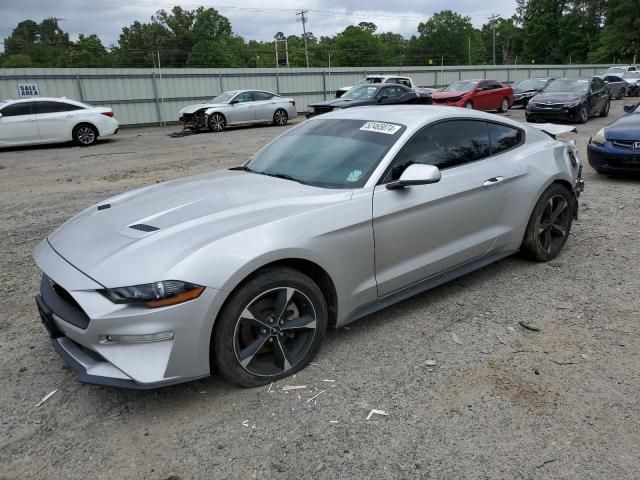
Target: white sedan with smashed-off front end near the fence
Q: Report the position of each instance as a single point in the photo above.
(238, 107)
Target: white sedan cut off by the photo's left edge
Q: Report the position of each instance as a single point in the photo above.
(53, 120)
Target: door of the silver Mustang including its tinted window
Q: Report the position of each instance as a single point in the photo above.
(423, 230)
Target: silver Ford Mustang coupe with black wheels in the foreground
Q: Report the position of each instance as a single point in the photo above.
(240, 272)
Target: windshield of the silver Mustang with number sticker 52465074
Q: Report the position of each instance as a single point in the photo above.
(328, 153)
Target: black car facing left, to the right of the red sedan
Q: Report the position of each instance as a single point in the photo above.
(570, 99)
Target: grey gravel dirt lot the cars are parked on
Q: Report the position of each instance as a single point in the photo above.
(505, 402)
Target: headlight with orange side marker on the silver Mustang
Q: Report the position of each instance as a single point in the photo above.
(154, 295)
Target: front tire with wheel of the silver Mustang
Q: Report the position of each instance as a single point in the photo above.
(249, 349)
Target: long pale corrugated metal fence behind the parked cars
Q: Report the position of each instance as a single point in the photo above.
(140, 96)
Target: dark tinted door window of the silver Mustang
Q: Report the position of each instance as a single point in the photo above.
(446, 144)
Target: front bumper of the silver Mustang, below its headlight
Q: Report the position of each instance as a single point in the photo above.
(79, 319)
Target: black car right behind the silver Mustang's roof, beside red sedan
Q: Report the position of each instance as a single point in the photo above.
(373, 94)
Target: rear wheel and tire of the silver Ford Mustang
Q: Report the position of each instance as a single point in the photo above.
(549, 224)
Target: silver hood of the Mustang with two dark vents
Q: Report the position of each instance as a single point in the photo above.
(186, 215)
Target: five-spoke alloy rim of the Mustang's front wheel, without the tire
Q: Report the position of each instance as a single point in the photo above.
(274, 331)
